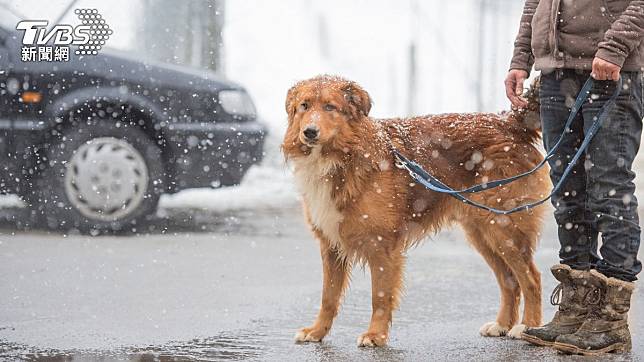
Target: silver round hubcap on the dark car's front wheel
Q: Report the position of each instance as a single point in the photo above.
(106, 179)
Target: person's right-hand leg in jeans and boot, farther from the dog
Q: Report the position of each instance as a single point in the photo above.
(612, 202)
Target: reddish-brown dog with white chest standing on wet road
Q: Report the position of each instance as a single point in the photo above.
(363, 209)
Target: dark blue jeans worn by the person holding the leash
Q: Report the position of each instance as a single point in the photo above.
(598, 197)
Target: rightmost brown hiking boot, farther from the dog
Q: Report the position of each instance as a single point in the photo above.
(606, 327)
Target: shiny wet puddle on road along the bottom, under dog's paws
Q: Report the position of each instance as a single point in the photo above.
(270, 342)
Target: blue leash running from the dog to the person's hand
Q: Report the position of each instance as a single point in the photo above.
(434, 184)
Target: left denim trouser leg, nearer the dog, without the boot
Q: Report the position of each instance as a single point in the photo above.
(577, 236)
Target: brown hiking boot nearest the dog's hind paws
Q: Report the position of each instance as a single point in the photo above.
(569, 295)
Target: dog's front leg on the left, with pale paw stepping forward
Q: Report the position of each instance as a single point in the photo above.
(336, 277)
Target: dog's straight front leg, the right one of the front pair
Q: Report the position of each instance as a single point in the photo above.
(386, 282)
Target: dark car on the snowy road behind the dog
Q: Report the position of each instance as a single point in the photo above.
(91, 143)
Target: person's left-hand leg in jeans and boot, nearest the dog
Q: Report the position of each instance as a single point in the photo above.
(577, 236)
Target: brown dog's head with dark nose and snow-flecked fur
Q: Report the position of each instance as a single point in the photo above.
(324, 112)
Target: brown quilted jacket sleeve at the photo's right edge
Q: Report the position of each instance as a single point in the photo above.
(624, 35)
